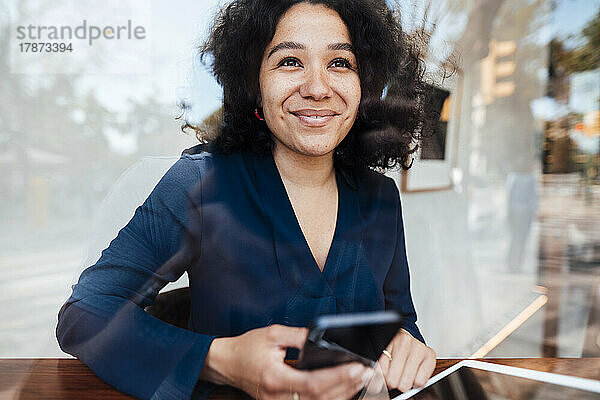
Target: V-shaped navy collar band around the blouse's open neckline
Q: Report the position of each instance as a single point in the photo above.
(296, 263)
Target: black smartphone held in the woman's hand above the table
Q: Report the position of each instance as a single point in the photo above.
(342, 338)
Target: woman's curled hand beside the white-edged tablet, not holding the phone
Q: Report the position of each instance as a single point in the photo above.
(411, 364)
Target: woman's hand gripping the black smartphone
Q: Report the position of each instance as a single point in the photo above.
(254, 362)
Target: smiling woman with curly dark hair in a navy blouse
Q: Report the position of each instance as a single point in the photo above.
(279, 221)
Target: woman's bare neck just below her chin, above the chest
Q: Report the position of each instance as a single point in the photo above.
(305, 171)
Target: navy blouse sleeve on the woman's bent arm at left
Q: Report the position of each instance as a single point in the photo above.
(104, 324)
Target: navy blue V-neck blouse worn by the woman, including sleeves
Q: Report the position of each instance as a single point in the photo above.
(228, 222)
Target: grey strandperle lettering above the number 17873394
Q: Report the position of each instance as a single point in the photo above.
(91, 33)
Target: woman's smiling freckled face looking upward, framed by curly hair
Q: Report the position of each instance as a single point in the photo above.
(309, 81)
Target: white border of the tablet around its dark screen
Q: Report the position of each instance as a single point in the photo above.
(563, 380)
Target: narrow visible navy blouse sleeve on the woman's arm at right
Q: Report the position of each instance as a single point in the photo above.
(396, 287)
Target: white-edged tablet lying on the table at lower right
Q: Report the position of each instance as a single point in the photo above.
(475, 380)
